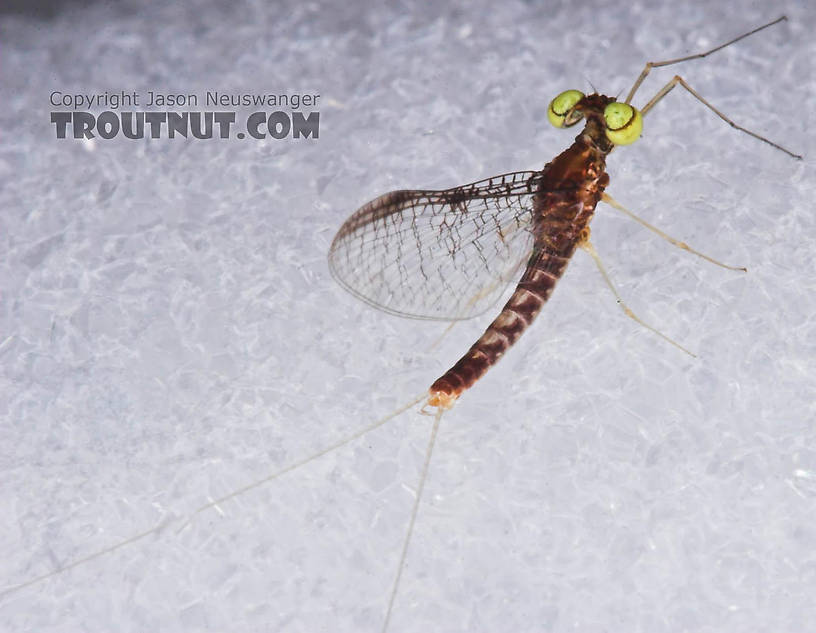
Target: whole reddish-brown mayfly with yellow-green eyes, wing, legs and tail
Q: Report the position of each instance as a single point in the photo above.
(449, 254)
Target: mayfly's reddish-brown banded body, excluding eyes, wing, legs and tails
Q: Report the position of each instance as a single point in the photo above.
(568, 192)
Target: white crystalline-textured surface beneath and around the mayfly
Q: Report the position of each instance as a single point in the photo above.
(169, 332)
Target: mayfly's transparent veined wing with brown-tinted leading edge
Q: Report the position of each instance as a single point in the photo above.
(444, 255)
